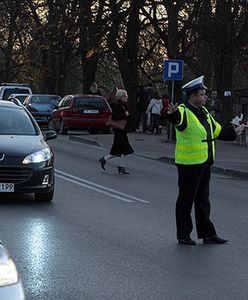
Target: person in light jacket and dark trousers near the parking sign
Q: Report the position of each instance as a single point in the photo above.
(155, 107)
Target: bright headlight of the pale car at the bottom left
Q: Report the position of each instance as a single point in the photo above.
(8, 272)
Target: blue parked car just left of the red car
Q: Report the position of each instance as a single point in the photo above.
(41, 106)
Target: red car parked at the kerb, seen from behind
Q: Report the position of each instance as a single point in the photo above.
(81, 112)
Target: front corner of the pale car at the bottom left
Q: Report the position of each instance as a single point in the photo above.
(11, 287)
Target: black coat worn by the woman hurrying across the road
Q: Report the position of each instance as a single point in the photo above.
(120, 144)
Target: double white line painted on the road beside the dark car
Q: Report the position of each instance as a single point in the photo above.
(99, 188)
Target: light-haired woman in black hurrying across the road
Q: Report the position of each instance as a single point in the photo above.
(120, 144)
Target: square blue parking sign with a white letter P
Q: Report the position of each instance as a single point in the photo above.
(173, 70)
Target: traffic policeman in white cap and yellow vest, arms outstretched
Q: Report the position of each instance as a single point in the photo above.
(196, 131)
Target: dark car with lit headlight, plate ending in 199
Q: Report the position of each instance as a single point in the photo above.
(26, 160)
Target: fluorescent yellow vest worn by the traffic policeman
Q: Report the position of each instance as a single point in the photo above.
(192, 145)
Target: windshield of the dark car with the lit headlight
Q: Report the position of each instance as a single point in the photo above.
(16, 122)
